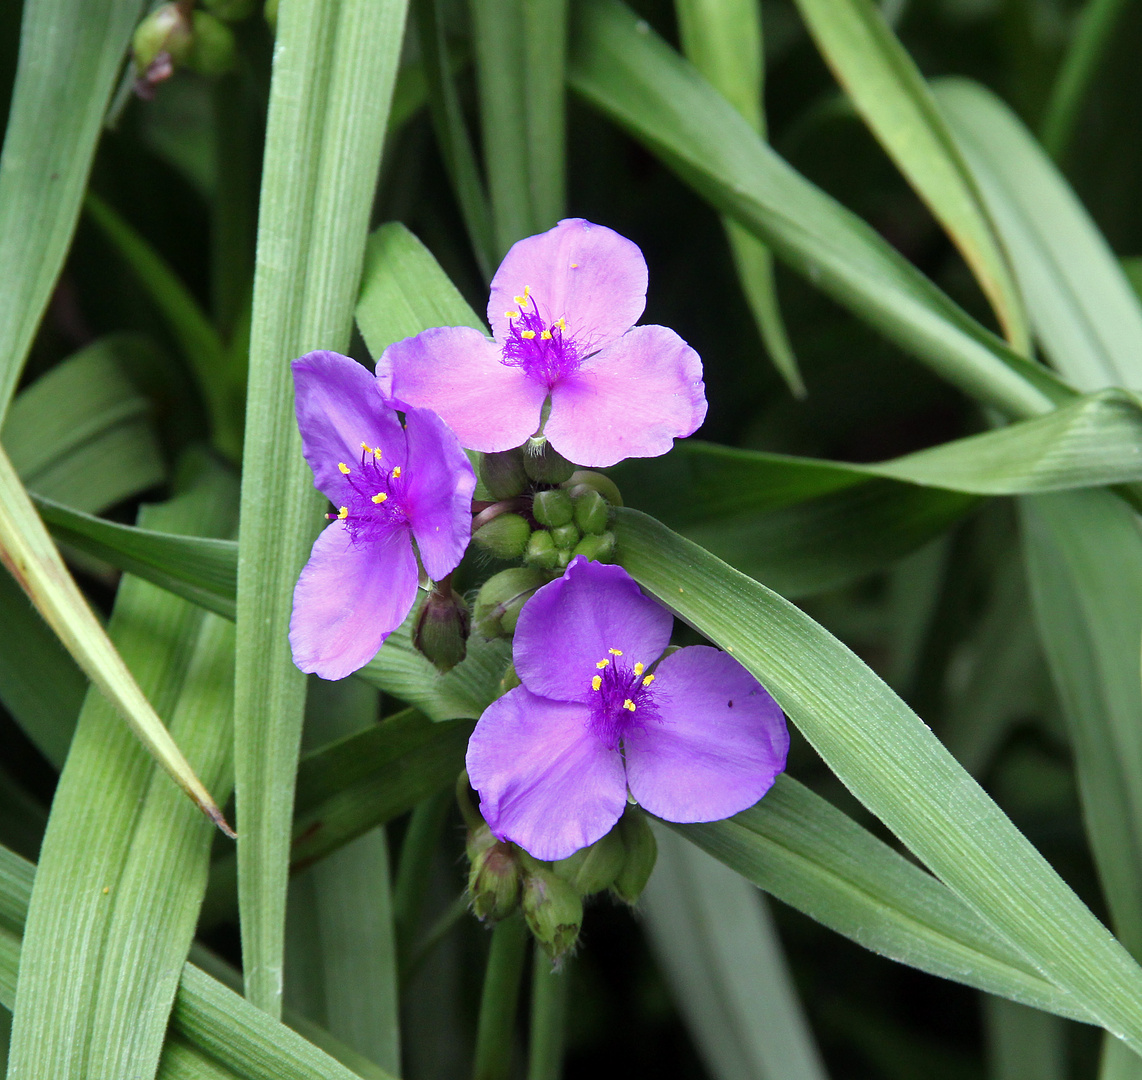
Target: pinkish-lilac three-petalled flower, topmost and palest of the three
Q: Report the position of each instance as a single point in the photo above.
(562, 309)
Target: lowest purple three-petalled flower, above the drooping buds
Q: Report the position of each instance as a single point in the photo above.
(695, 738)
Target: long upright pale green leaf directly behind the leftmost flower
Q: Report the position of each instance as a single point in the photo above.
(333, 80)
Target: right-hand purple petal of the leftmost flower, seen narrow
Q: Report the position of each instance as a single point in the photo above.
(438, 494)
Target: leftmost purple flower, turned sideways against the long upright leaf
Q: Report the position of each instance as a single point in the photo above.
(392, 486)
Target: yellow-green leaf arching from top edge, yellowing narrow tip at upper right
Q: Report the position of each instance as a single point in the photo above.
(894, 100)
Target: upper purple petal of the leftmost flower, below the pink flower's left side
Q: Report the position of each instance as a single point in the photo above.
(339, 408)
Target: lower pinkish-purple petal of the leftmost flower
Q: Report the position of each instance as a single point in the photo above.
(350, 599)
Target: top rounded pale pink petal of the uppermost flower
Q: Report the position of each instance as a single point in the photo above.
(588, 275)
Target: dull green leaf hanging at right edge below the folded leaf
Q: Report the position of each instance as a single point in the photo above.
(1084, 562)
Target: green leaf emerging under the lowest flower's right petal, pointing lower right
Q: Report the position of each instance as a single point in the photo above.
(807, 853)
